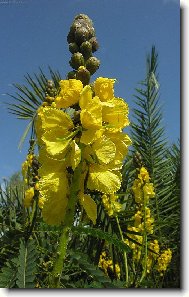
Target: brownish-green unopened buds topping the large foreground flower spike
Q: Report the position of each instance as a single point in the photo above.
(82, 44)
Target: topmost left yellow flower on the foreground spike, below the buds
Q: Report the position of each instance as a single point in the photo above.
(69, 93)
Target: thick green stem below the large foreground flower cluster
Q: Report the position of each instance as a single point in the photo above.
(68, 219)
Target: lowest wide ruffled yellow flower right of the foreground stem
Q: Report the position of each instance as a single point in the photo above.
(104, 180)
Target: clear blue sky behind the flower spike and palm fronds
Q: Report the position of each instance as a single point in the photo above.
(33, 34)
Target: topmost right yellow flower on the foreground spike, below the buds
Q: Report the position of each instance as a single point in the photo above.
(104, 88)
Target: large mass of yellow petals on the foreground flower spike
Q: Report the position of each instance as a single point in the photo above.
(92, 135)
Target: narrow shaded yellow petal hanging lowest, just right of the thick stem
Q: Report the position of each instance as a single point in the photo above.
(89, 206)
